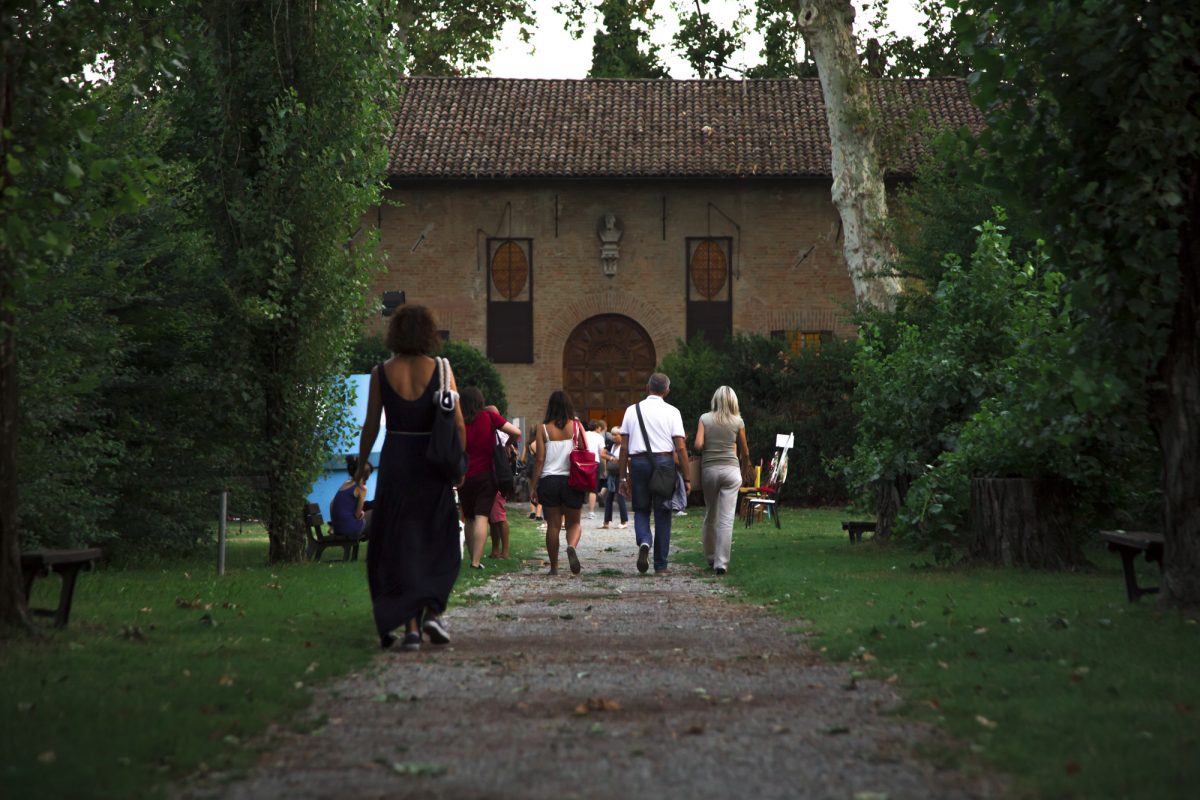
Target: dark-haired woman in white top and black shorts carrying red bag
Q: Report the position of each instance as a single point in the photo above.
(549, 480)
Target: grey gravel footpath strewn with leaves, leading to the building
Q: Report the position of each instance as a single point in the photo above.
(607, 685)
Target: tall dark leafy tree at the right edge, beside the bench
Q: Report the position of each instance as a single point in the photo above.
(1095, 110)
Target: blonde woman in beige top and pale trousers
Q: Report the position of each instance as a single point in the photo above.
(722, 440)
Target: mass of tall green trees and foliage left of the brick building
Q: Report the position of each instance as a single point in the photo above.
(183, 257)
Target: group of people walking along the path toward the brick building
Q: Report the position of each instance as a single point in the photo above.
(413, 556)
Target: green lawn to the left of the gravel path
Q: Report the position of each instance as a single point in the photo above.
(167, 670)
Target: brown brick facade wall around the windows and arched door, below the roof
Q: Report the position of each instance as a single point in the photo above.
(787, 258)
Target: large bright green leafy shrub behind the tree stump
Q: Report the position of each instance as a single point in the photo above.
(980, 392)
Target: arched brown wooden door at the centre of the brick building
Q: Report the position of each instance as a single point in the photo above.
(605, 365)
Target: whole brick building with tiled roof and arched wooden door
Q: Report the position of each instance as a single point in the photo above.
(577, 231)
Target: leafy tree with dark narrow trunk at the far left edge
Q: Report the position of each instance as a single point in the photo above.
(47, 123)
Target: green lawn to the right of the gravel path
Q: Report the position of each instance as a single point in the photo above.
(1053, 678)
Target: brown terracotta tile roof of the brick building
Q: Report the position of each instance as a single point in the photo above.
(500, 128)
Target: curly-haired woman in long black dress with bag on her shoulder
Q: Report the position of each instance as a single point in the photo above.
(413, 555)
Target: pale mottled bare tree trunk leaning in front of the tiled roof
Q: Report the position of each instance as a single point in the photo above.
(859, 189)
